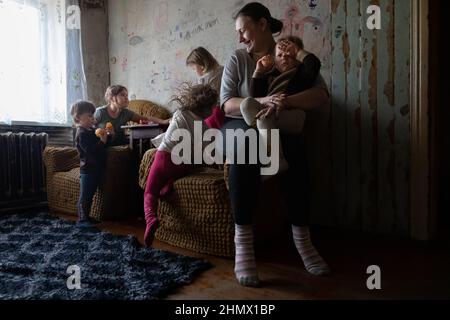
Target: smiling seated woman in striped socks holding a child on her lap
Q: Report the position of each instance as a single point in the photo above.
(255, 27)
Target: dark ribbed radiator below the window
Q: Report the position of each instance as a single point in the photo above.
(21, 167)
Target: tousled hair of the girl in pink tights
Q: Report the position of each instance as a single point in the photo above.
(198, 99)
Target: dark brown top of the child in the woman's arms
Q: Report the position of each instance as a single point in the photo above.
(299, 79)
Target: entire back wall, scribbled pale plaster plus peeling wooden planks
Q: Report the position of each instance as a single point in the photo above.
(358, 144)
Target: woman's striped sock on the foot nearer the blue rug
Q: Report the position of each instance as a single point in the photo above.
(245, 265)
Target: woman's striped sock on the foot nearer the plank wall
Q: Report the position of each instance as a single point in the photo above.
(311, 258)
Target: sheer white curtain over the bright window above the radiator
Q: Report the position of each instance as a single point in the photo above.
(41, 65)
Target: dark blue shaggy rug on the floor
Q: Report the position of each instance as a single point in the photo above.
(36, 251)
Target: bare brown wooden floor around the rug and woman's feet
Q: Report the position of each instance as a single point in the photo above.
(409, 270)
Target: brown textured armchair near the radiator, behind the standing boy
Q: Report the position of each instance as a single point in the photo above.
(118, 196)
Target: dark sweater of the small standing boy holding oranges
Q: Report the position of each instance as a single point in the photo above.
(92, 151)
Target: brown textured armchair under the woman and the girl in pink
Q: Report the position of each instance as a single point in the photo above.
(197, 215)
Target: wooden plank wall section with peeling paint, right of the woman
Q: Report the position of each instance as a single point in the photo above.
(360, 145)
